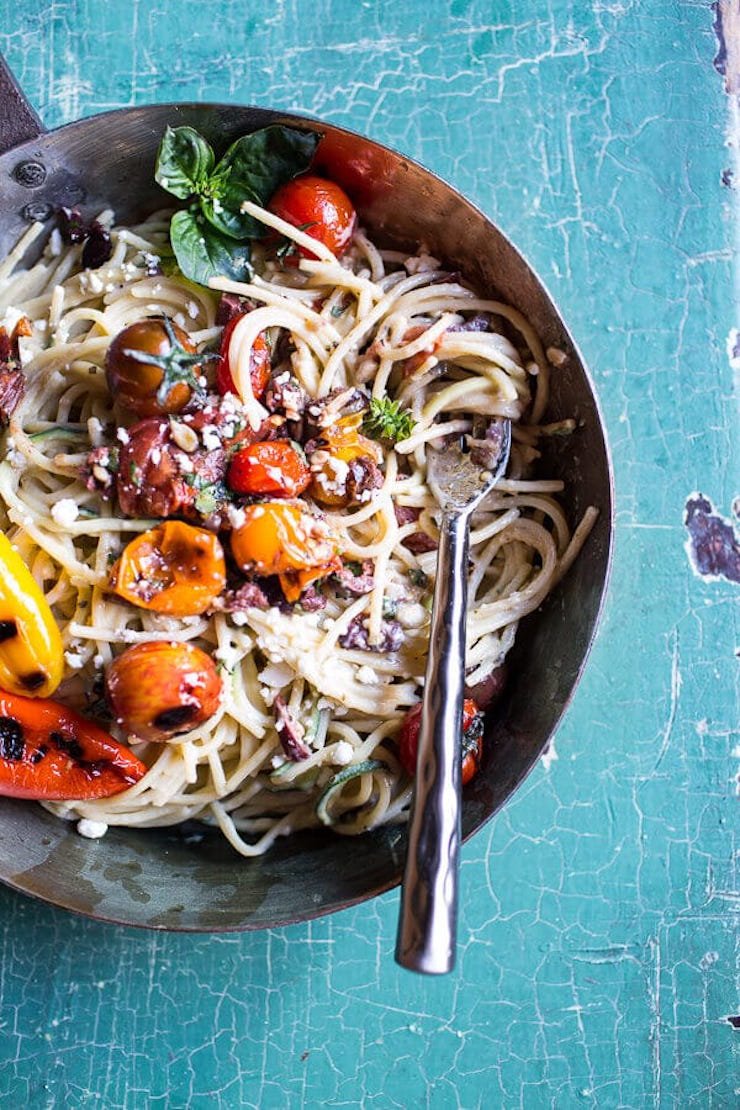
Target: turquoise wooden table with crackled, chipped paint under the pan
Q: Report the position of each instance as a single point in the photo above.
(597, 940)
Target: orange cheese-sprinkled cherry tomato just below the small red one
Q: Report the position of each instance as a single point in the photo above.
(285, 539)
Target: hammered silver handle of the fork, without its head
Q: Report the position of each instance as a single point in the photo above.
(429, 900)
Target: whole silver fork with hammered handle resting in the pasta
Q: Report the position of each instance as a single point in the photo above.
(428, 923)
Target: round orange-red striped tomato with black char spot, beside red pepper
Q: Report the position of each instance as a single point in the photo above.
(160, 690)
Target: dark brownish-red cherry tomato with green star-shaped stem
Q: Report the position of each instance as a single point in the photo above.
(153, 369)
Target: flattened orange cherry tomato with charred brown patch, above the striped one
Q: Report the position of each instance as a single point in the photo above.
(175, 569)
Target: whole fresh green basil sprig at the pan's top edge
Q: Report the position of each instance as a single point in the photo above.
(211, 237)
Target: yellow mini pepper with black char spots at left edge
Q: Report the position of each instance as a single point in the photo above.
(32, 651)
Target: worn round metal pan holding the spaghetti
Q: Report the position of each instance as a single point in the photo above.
(191, 880)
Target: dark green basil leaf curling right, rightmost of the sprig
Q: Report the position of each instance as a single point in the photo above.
(254, 169)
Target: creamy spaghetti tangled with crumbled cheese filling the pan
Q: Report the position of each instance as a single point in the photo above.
(374, 320)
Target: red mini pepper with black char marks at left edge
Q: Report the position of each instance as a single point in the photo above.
(50, 752)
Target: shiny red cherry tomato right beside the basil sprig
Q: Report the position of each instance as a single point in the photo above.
(320, 208)
